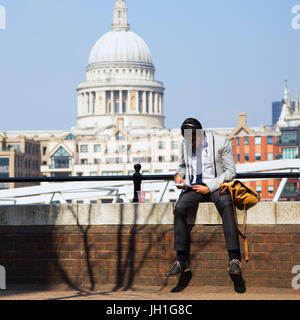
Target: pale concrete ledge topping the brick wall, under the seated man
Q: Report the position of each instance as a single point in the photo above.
(140, 214)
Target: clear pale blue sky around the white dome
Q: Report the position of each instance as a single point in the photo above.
(216, 58)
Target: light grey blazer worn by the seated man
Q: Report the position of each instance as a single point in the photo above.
(221, 156)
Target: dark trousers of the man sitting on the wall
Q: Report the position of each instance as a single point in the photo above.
(188, 204)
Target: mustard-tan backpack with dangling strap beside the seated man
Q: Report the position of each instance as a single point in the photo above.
(243, 198)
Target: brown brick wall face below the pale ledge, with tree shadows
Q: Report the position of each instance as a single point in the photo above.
(128, 255)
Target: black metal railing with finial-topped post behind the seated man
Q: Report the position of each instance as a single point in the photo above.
(137, 178)
